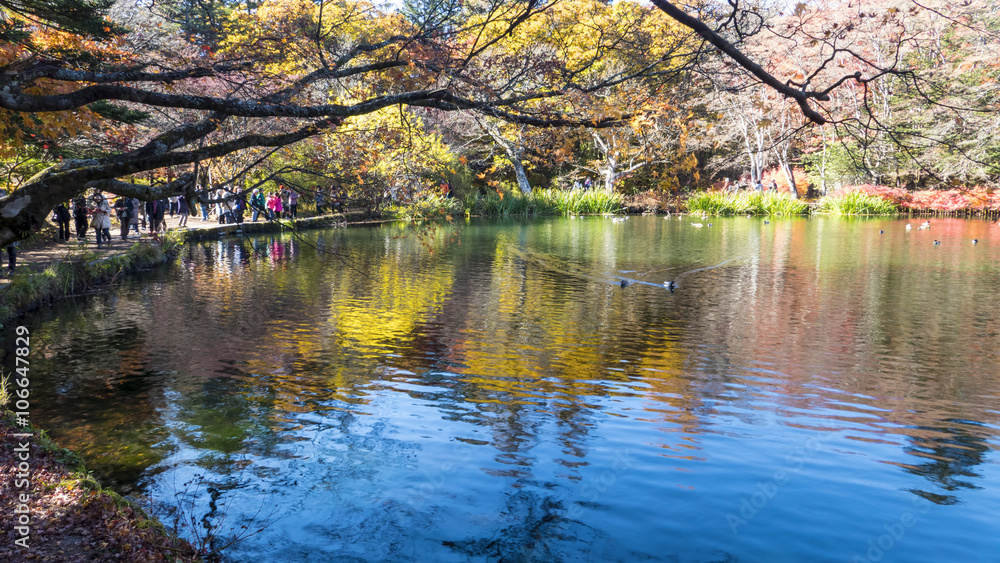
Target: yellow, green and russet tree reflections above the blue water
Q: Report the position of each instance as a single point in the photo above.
(522, 329)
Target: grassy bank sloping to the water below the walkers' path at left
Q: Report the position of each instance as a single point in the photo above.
(80, 271)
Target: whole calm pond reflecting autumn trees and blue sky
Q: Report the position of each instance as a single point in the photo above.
(488, 391)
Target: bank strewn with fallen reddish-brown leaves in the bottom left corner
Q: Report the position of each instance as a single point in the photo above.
(55, 511)
